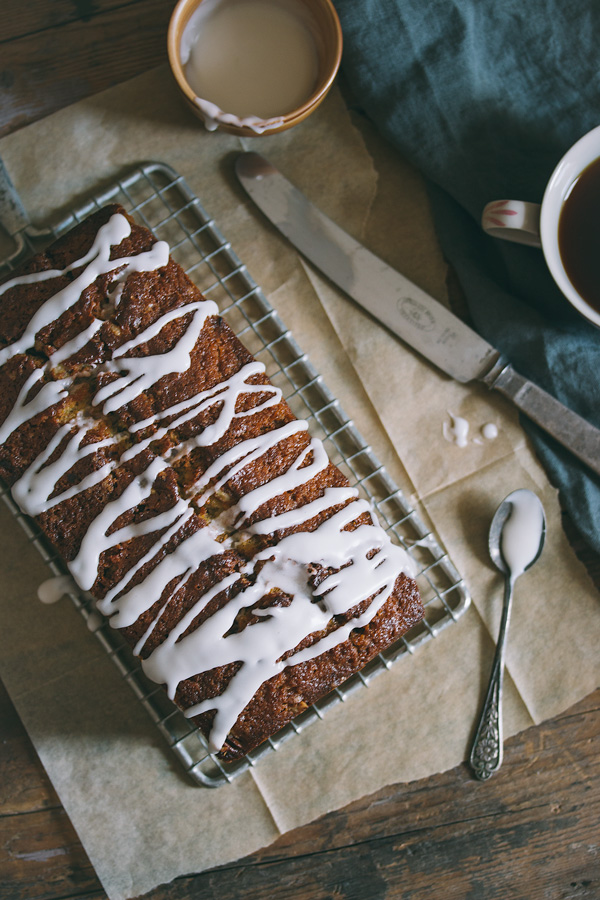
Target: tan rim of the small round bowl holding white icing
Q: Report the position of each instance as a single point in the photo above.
(300, 112)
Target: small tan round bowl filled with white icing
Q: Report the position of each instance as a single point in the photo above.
(253, 67)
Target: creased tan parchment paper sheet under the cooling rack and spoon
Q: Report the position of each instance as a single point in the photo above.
(140, 821)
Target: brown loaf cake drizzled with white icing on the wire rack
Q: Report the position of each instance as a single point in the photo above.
(181, 491)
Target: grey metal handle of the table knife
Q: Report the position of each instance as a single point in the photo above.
(569, 429)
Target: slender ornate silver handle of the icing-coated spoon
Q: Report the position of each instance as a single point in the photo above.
(486, 753)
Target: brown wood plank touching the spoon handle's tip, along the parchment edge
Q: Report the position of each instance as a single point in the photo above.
(555, 763)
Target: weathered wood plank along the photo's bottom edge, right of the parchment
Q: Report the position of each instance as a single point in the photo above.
(522, 859)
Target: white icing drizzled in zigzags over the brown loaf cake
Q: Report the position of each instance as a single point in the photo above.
(258, 647)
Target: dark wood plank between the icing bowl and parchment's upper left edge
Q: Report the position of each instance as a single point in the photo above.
(49, 69)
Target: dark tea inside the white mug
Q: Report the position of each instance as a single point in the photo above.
(579, 234)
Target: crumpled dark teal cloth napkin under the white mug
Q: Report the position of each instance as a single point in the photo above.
(484, 98)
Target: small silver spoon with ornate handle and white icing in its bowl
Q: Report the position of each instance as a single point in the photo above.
(516, 538)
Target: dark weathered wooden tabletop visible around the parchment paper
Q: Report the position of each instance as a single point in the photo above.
(531, 833)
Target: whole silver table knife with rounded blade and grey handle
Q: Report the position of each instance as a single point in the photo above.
(405, 309)
